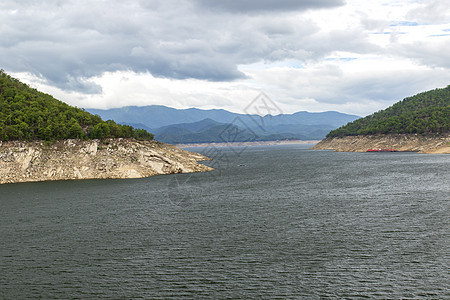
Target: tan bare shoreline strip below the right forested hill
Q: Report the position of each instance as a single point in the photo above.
(400, 142)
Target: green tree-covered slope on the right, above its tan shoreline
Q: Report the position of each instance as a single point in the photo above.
(424, 113)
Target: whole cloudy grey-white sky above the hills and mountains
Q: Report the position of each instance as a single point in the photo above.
(351, 56)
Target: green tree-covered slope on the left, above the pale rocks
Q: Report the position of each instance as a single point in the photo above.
(27, 114)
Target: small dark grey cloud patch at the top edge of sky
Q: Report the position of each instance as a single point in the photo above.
(252, 6)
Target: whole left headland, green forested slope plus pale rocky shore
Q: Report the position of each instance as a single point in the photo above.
(42, 139)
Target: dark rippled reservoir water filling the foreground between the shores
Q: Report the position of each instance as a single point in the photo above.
(269, 222)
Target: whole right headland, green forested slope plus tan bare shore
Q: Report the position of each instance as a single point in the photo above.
(420, 123)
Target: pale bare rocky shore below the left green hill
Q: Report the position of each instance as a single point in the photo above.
(77, 159)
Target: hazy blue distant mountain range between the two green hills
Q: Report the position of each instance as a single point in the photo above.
(194, 125)
